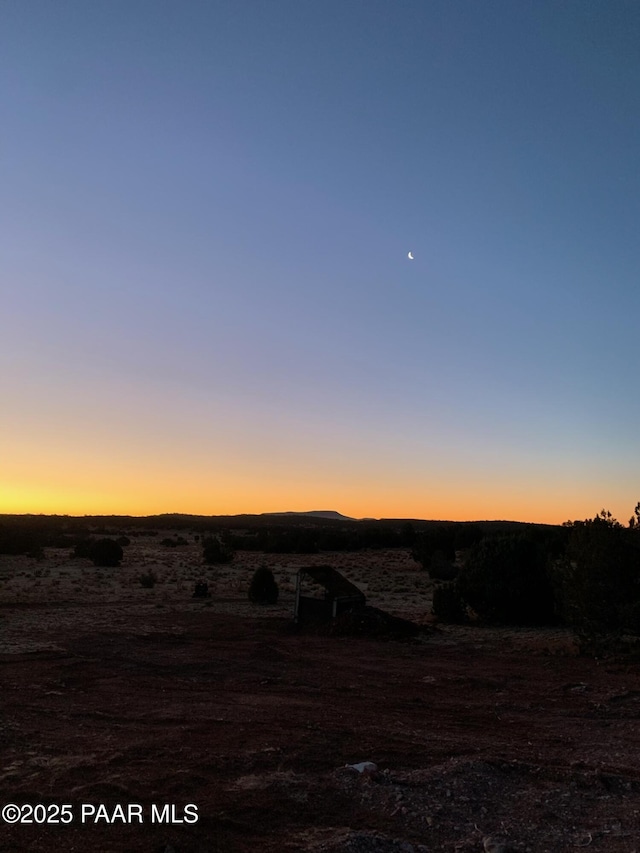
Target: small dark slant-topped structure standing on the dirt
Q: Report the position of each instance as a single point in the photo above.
(337, 595)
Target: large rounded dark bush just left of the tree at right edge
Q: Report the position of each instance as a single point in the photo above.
(505, 580)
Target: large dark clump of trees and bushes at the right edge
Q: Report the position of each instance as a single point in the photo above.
(585, 574)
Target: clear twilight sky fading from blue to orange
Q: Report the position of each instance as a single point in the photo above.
(206, 300)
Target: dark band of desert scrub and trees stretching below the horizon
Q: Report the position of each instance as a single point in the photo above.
(584, 575)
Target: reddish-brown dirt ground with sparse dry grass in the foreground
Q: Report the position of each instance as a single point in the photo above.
(118, 695)
